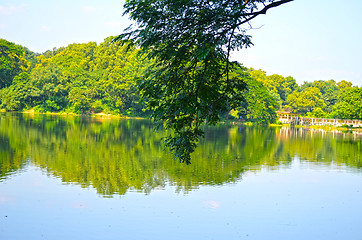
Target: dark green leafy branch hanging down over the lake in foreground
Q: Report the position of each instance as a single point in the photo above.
(191, 40)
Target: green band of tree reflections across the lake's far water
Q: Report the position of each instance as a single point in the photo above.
(115, 156)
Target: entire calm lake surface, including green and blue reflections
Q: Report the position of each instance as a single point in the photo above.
(88, 178)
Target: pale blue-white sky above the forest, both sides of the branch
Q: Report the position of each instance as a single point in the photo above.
(308, 40)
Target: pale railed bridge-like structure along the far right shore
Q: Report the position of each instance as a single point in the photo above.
(296, 119)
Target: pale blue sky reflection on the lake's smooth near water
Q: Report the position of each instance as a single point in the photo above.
(301, 201)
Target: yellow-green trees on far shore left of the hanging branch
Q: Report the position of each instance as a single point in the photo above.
(80, 78)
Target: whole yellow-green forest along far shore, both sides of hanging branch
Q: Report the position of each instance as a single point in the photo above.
(104, 78)
